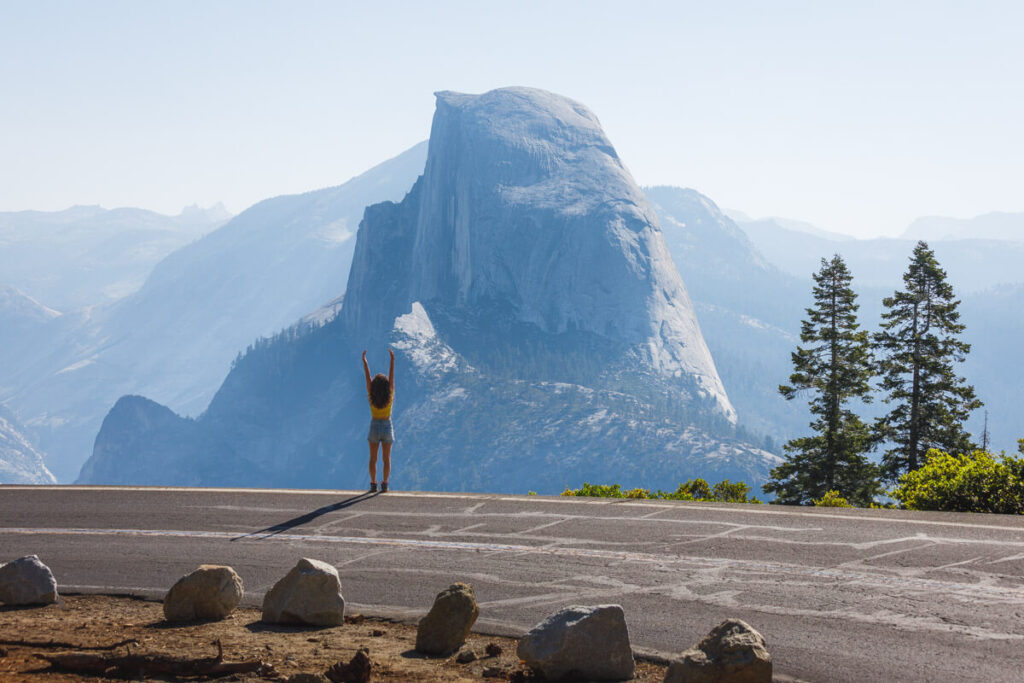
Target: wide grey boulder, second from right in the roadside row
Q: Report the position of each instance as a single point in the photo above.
(589, 644)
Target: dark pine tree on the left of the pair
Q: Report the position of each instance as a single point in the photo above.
(836, 367)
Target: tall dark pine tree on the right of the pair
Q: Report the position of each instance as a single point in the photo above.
(919, 346)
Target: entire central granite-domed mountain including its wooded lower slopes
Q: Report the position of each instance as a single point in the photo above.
(543, 335)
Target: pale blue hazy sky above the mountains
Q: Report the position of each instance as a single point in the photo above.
(858, 117)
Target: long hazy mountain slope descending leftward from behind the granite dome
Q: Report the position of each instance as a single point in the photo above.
(175, 339)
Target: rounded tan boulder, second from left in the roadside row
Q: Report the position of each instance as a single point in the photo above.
(210, 592)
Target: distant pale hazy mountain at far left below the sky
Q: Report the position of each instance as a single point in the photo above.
(87, 255)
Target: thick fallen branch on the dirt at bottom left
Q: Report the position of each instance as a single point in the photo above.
(143, 666)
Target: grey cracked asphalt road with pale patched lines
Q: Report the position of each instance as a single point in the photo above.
(840, 595)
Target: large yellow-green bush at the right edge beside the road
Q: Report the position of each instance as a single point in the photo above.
(975, 483)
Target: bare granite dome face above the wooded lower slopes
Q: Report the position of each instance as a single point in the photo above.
(525, 209)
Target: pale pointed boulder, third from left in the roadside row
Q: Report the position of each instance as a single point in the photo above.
(311, 593)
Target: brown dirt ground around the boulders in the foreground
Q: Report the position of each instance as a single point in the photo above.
(86, 623)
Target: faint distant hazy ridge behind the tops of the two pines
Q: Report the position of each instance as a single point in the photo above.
(973, 265)
